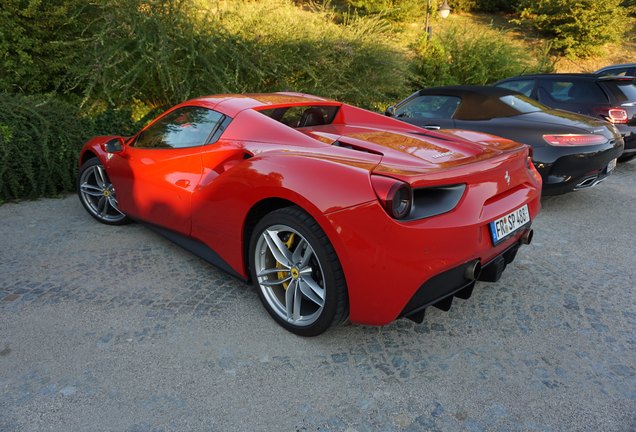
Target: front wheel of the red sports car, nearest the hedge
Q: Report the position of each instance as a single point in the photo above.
(98, 194)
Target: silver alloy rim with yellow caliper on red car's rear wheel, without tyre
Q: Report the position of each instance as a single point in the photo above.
(290, 275)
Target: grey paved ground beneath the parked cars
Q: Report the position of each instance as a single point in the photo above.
(115, 328)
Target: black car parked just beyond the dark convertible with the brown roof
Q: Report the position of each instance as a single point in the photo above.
(612, 98)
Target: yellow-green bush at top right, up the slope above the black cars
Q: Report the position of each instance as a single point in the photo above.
(576, 27)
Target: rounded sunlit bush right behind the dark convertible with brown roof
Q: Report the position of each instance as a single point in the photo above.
(463, 55)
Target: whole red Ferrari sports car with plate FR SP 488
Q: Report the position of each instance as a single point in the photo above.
(332, 211)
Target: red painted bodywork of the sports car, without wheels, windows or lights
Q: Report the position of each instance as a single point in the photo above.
(207, 192)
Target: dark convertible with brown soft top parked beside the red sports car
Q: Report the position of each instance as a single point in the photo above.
(570, 151)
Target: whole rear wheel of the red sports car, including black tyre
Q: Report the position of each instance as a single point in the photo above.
(297, 273)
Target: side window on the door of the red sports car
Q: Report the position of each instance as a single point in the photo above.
(184, 127)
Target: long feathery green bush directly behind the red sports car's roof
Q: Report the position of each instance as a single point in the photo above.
(160, 52)
